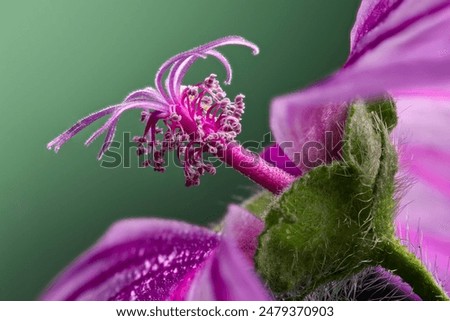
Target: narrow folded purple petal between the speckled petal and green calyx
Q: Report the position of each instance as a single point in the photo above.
(229, 274)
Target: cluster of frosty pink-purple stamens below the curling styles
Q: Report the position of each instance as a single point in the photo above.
(201, 123)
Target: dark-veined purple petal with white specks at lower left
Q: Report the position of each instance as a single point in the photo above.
(137, 259)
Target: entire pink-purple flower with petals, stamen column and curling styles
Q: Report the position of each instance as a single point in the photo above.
(398, 47)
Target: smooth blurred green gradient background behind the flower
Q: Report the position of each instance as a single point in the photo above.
(61, 60)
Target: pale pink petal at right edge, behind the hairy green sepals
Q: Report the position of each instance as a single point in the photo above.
(424, 219)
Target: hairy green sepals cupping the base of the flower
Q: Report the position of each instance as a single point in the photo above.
(330, 223)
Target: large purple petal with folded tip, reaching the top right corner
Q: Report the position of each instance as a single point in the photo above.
(395, 45)
